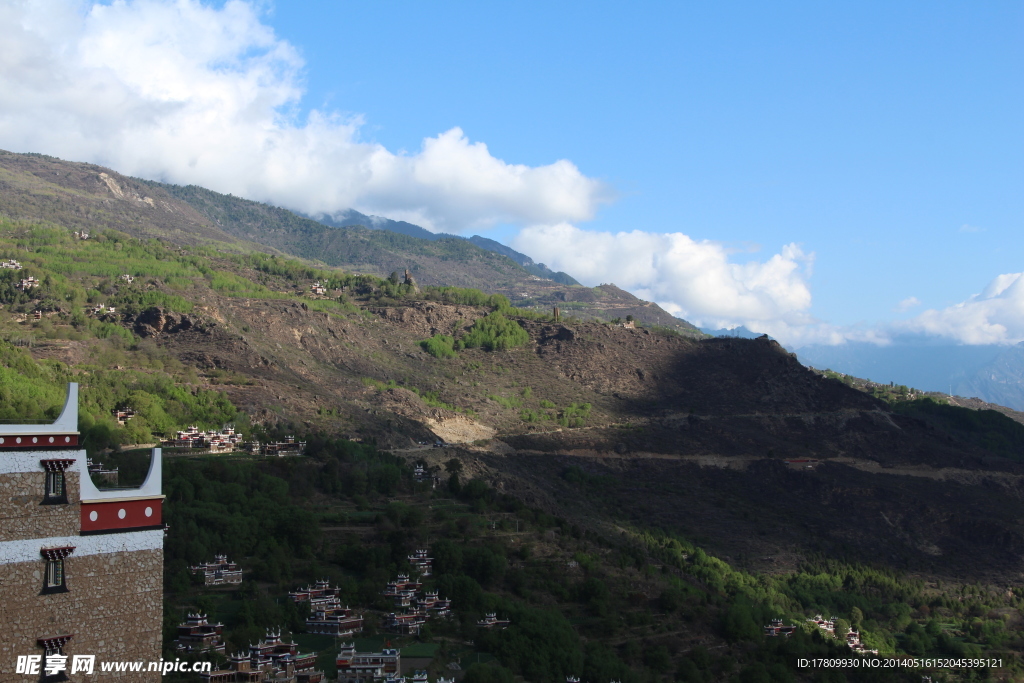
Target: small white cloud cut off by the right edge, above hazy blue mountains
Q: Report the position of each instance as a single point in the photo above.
(994, 317)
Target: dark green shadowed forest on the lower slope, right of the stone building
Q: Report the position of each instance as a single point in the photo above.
(581, 603)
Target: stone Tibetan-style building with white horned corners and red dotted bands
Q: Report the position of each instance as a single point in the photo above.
(81, 569)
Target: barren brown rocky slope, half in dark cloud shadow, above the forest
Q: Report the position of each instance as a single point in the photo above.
(732, 442)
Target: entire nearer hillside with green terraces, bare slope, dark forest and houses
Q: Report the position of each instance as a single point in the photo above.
(370, 477)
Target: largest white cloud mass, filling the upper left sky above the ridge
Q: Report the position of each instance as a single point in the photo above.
(190, 94)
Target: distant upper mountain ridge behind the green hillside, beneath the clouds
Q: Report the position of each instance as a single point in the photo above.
(89, 196)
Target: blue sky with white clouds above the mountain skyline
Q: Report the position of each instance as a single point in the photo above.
(817, 163)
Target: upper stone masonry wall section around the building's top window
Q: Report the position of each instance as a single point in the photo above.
(23, 517)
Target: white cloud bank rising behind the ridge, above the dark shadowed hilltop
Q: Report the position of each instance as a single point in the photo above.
(691, 279)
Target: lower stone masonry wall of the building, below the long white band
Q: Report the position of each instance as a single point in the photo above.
(114, 607)
